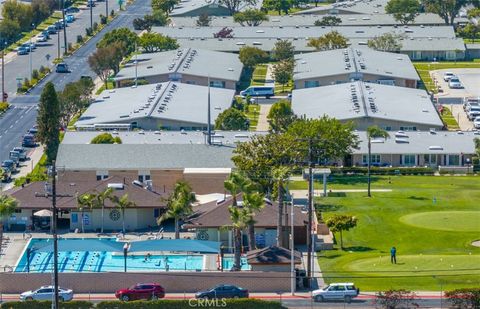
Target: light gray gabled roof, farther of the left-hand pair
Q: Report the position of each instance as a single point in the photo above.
(196, 62)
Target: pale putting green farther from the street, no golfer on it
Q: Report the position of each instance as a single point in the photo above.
(455, 221)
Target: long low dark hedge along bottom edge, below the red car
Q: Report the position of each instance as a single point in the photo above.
(164, 304)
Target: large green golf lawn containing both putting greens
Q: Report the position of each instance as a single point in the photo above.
(433, 238)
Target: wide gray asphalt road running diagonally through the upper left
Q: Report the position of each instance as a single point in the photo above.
(21, 116)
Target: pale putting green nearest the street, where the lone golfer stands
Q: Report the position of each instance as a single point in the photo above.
(422, 264)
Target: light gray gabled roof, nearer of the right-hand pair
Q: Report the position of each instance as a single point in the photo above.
(391, 102)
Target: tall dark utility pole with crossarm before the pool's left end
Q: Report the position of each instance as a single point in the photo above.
(54, 196)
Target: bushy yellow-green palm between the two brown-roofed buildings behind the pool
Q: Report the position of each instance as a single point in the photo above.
(179, 205)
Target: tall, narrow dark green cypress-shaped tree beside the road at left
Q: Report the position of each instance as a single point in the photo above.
(48, 120)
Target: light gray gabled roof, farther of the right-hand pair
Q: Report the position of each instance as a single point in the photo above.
(329, 63)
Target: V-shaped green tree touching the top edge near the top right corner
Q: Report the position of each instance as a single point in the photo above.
(447, 9)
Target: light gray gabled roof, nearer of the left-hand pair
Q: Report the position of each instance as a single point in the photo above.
(172, 101)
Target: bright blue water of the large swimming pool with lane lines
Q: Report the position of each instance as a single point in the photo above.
(103, 261)
